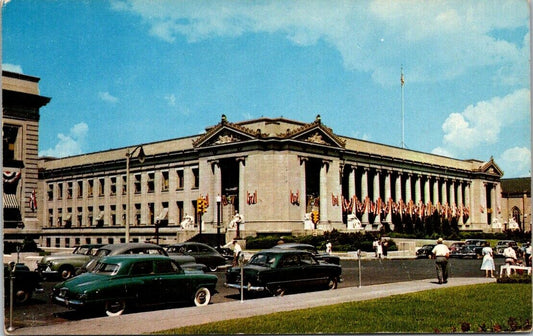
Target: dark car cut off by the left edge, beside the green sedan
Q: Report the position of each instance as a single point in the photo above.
(25, 283)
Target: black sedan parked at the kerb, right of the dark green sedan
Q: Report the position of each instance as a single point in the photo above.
(277, 270)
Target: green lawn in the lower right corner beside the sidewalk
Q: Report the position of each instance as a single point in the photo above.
(477, 308)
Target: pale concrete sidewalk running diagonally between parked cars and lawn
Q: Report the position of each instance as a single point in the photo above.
(152, 321)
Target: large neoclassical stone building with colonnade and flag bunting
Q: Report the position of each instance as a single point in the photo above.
(275, 175)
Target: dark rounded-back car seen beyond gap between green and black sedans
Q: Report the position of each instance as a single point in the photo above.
(202, 253)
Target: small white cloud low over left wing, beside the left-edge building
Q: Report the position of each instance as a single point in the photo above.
(70, 144)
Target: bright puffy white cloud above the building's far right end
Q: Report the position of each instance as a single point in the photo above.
(482, 123)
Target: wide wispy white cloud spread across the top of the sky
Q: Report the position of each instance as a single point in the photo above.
(456, 35)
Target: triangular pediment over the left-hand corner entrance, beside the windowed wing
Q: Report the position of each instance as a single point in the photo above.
(225, 133)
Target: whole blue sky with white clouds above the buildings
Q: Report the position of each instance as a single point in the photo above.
(126, 72)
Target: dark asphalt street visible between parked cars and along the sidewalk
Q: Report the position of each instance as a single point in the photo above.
(39, 311)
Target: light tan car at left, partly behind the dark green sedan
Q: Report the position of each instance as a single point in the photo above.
(65, 265)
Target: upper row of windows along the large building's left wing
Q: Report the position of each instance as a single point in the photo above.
(112, 185)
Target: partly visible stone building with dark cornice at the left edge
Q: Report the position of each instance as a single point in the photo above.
(21, 103)
